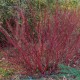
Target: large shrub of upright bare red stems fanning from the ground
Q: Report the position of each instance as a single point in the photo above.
(55, 40)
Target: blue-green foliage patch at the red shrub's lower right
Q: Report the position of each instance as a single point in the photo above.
(69, 71)
